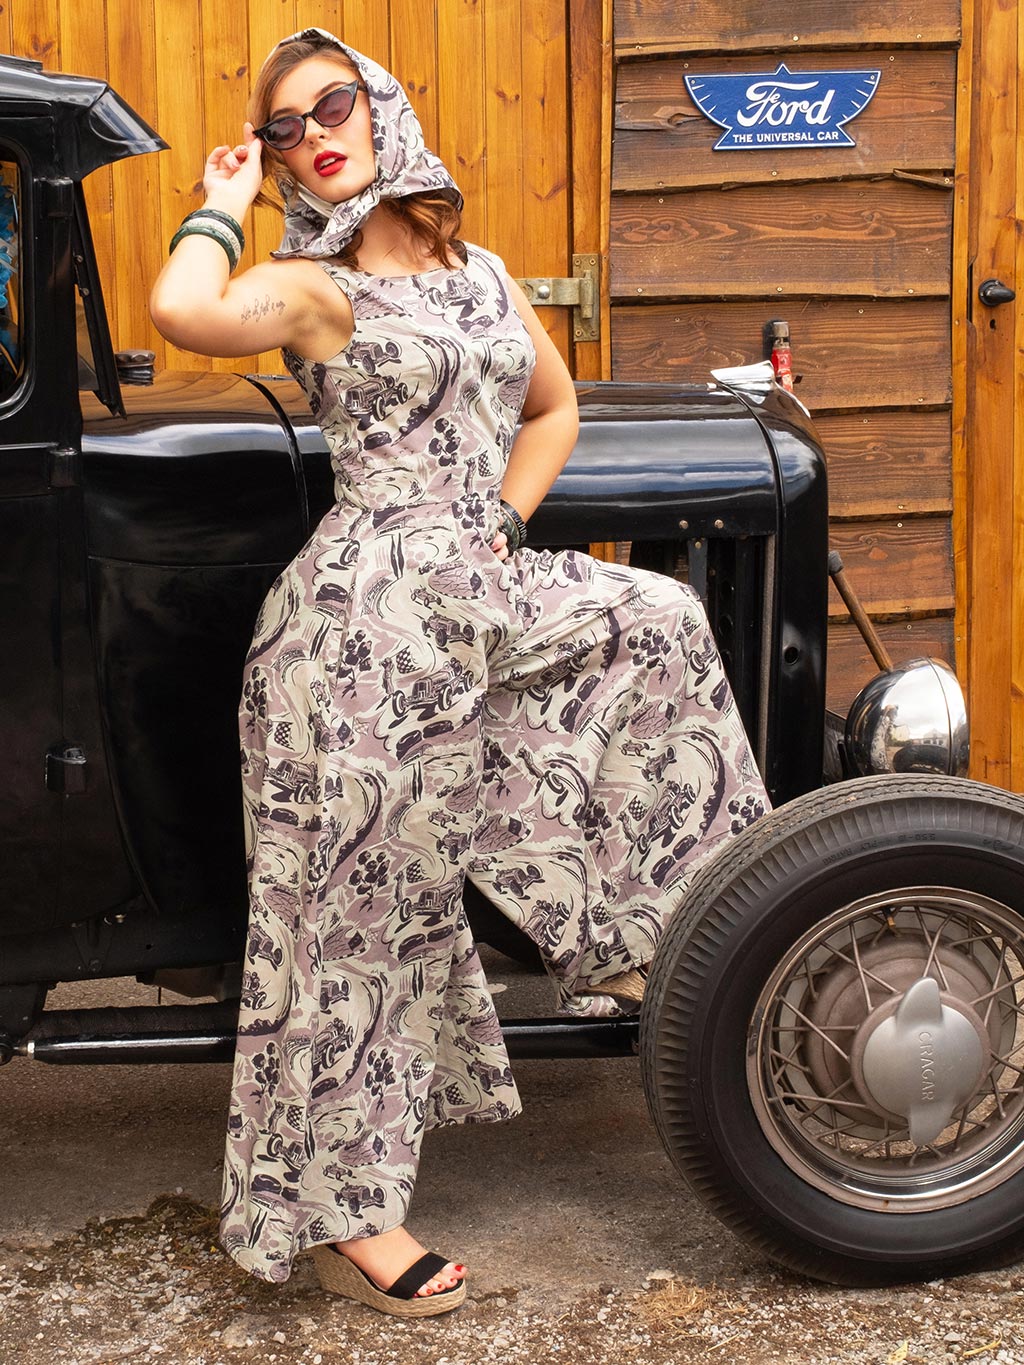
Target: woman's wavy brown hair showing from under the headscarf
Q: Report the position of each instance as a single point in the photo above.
(432, 219)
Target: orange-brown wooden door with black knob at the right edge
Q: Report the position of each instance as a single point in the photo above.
(989, 341)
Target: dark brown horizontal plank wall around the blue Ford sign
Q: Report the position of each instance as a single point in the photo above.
(851, 246)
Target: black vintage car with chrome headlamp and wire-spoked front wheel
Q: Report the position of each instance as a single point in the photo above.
(834, 1035)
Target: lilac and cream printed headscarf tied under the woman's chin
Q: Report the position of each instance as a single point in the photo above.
(316, 229)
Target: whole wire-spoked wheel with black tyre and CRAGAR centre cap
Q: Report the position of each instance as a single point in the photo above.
(834, 1033)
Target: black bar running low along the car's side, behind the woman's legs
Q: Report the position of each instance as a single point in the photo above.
(207, 1034)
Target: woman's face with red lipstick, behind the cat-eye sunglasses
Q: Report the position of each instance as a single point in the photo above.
(334, 163)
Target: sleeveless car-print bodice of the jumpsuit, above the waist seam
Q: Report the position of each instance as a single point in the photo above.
(421, 406)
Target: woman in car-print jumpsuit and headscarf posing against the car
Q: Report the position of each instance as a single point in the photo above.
(424, 700)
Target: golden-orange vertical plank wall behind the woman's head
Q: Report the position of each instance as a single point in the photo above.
(488, 78)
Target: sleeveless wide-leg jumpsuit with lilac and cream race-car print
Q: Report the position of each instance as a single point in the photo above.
(414, 712)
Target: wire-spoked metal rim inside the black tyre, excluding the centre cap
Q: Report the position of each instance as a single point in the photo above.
(832, 994)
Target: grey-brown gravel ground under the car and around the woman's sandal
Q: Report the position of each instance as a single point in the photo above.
(581, 1243)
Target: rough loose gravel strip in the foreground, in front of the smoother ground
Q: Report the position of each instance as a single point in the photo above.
(158, 1288)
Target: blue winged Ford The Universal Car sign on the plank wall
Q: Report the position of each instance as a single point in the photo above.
(783, 109)
